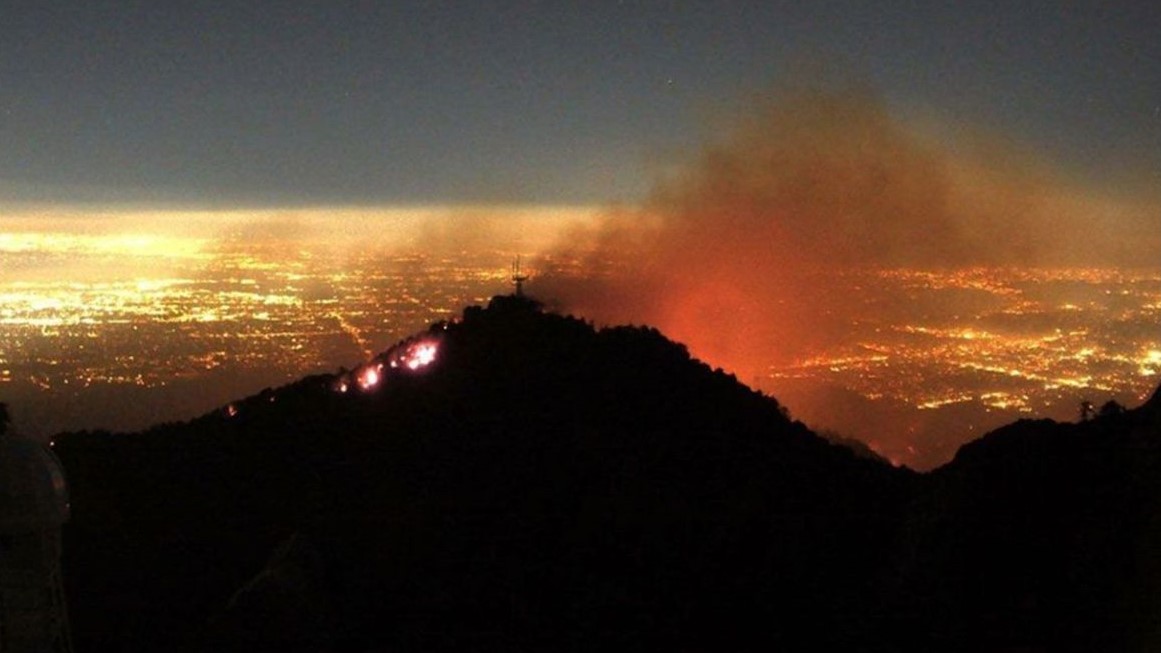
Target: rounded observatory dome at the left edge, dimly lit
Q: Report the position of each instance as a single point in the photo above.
(33, 492)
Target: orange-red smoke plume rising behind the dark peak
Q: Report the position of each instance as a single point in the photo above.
(738, 253)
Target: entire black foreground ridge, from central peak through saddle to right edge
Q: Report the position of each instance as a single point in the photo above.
(543, 485)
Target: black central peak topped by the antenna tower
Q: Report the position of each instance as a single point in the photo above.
(539, 485)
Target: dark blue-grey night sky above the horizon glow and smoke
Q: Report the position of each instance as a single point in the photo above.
(427, 103)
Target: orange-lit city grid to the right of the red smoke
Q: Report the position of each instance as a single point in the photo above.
(1016, 340)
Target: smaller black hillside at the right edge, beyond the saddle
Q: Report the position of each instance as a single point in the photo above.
(1043, 536)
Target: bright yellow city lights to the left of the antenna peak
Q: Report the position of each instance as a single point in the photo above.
(301, 315)
